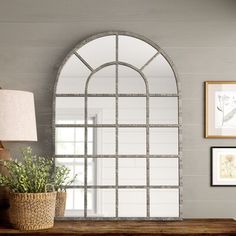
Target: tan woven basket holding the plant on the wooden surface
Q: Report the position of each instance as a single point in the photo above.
(32, 211)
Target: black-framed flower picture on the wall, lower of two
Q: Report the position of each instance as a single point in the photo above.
(223, 166)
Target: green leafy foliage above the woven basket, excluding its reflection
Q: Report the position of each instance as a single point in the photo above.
(31, 175)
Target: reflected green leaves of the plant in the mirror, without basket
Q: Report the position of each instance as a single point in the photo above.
(61, 178)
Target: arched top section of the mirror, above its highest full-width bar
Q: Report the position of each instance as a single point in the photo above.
(137, 57)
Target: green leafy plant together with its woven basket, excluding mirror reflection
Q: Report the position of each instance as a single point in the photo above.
(32, 197)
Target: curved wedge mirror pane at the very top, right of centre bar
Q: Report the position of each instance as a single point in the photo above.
(135, 51)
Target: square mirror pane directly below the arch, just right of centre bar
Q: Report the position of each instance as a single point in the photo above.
(132, 110)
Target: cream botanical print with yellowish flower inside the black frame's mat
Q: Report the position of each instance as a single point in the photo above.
(227, 166)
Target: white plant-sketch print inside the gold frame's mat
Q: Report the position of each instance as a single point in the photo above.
(225, 109)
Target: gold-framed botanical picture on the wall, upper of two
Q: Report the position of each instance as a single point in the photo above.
(220, 109)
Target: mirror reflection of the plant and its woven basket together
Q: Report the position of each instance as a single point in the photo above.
(60, 181)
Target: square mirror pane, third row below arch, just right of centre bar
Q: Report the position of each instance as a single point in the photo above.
(136, 166)
